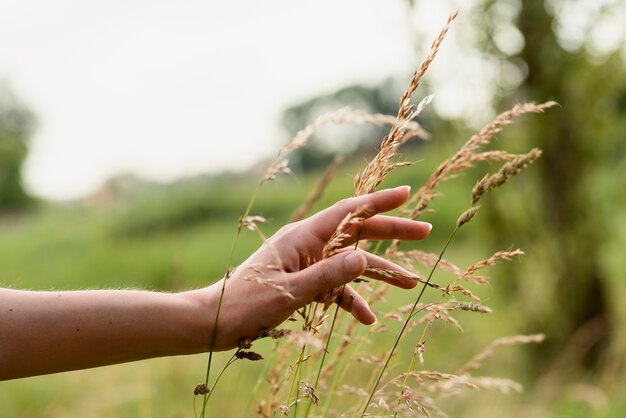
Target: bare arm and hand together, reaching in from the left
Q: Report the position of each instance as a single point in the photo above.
(49, 332)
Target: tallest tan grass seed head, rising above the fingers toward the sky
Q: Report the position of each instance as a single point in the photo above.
(382, 164)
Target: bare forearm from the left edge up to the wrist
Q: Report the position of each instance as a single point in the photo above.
(48, 332)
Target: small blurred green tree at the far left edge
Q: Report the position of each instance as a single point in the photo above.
(16, 126)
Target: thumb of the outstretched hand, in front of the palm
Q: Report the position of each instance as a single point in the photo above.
(328, 273)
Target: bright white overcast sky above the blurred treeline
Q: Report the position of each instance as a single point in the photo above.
(167, 89)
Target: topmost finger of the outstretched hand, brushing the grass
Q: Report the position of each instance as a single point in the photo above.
(327, 220)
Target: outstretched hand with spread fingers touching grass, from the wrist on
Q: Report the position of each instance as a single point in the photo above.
(249, 306)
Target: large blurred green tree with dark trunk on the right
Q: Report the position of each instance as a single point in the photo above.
(581, 141)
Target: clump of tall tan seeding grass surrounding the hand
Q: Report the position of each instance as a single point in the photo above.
(312, 371)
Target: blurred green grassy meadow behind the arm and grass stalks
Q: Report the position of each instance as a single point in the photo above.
(174, 237)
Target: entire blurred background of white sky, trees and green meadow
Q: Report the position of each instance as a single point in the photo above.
(132, 135)
